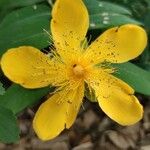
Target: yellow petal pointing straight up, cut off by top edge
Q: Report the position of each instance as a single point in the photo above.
(69, 25)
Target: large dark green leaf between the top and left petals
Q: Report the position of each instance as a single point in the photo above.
(25, 27)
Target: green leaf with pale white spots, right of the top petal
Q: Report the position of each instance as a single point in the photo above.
(105, 15)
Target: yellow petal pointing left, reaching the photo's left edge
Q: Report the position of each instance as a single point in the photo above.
(31, 68)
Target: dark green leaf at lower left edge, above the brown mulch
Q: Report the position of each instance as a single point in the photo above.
(9, 130)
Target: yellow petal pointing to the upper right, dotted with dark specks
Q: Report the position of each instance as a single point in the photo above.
(118, 44)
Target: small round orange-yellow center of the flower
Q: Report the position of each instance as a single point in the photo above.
(78, 70)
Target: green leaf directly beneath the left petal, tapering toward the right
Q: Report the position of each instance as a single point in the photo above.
(18, 98)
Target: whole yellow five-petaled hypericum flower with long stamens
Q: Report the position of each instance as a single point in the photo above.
(72, 65)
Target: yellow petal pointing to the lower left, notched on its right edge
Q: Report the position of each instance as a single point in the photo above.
(57, 113)
